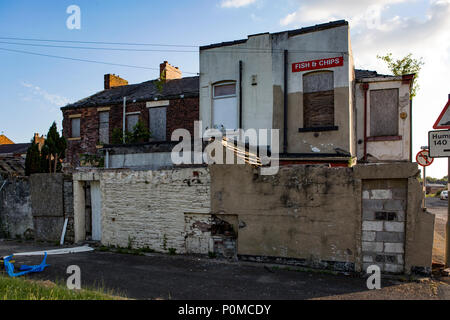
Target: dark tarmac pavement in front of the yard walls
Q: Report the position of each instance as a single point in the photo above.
(164, 277)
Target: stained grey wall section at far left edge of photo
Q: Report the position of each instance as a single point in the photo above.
(16, 220)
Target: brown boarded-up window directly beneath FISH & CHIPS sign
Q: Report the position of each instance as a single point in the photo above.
(318, 99)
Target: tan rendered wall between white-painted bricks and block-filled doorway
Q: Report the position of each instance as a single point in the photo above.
(308, 213)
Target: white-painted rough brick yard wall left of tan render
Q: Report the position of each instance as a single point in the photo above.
(156, 209)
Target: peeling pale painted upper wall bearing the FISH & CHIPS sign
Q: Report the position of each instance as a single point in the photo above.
(263, 100)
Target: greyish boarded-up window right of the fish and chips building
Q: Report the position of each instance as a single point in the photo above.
(384, 112)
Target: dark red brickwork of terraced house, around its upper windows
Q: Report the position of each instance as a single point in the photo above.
(181, 113)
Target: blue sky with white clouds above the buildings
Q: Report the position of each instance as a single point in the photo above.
(35, 87)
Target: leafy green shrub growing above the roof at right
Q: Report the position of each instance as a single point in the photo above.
(406, 65)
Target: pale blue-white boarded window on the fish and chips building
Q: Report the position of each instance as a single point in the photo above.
(225, 107)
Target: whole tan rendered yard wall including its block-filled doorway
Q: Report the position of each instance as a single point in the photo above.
(321, 217)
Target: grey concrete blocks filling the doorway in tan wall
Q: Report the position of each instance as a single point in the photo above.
(383, 226)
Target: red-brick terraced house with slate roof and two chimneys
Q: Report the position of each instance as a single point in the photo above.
(162, 105)
